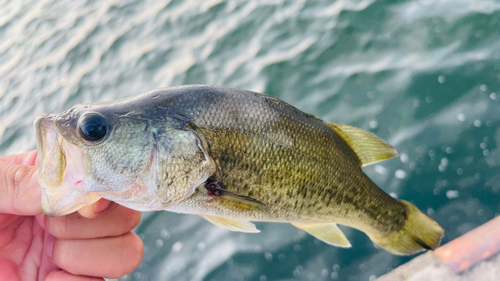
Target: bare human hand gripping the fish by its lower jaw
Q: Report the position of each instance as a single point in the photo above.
(93, 243)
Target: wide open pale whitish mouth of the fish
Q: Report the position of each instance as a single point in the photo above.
(62, 173)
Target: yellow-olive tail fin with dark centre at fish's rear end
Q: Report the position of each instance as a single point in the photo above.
(419, 233)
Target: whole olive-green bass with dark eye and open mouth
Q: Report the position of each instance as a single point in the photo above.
(230, 156)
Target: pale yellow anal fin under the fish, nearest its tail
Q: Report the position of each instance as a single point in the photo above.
(329, 233)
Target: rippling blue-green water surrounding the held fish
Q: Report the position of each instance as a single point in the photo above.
(424, 75)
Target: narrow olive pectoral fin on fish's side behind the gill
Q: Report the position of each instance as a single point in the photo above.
(238, 203)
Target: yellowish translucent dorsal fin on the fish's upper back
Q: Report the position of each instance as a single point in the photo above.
(369, 148)
